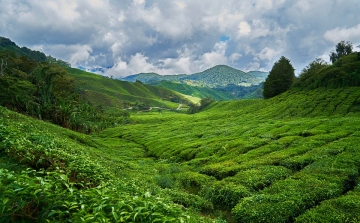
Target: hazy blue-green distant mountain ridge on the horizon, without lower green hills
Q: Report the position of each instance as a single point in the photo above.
(215, 77)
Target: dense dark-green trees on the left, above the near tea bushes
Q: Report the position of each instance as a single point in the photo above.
(48, 92)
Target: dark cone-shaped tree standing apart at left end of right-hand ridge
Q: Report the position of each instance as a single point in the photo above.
(280, 79)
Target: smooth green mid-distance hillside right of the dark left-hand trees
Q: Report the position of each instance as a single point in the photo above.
(108, 92)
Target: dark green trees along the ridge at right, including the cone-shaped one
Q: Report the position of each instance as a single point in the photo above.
(343, 72)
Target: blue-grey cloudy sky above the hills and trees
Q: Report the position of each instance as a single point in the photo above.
(181, 36)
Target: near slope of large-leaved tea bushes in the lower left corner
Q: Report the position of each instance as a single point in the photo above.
(58, 182)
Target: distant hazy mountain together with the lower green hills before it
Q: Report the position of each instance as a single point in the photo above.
(220, 83)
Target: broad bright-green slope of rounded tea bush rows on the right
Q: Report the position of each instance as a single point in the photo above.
(255, 158)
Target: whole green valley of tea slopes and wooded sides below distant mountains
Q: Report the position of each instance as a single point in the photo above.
(72, 150)
